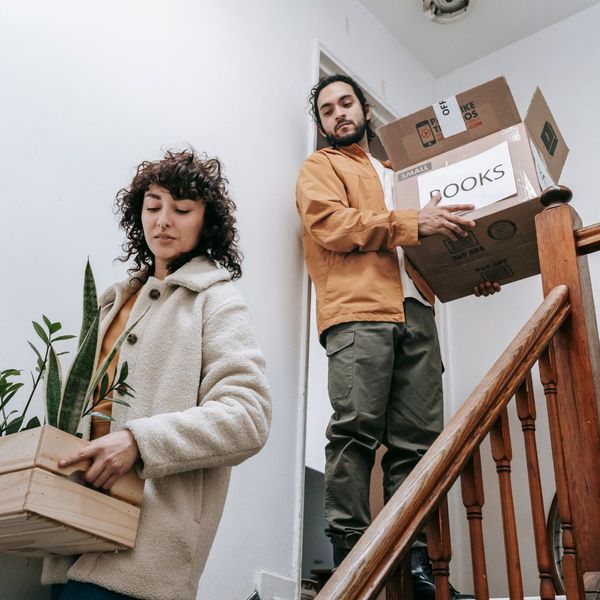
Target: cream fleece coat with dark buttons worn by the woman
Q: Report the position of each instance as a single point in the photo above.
(201, 406)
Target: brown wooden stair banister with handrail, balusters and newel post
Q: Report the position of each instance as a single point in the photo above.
(562, 338)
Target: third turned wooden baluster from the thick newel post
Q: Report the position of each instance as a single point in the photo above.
(502, 455)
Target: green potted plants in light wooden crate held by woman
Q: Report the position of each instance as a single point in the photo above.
(42, 511)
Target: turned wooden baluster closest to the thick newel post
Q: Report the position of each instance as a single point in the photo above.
(571, 565)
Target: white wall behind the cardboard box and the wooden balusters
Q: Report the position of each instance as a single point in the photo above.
(564, 60)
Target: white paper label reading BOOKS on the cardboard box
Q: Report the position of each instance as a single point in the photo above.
(479, 180)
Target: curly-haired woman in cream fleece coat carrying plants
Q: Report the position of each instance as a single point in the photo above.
(201, 397)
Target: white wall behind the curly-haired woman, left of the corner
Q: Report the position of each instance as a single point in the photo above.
(90, 91)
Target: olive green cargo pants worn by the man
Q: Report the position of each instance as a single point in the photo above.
(385, 387)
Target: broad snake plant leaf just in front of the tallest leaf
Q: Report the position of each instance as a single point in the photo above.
(78, 380)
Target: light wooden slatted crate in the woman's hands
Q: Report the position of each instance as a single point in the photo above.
(45, 510)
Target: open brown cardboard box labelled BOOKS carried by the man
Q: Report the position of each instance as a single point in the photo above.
(501, 165)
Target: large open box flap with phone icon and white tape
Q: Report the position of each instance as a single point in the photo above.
(484, 109)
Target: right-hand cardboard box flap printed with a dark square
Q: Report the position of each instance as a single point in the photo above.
(546, 135)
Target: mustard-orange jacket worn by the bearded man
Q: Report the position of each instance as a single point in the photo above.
(350, 239)
